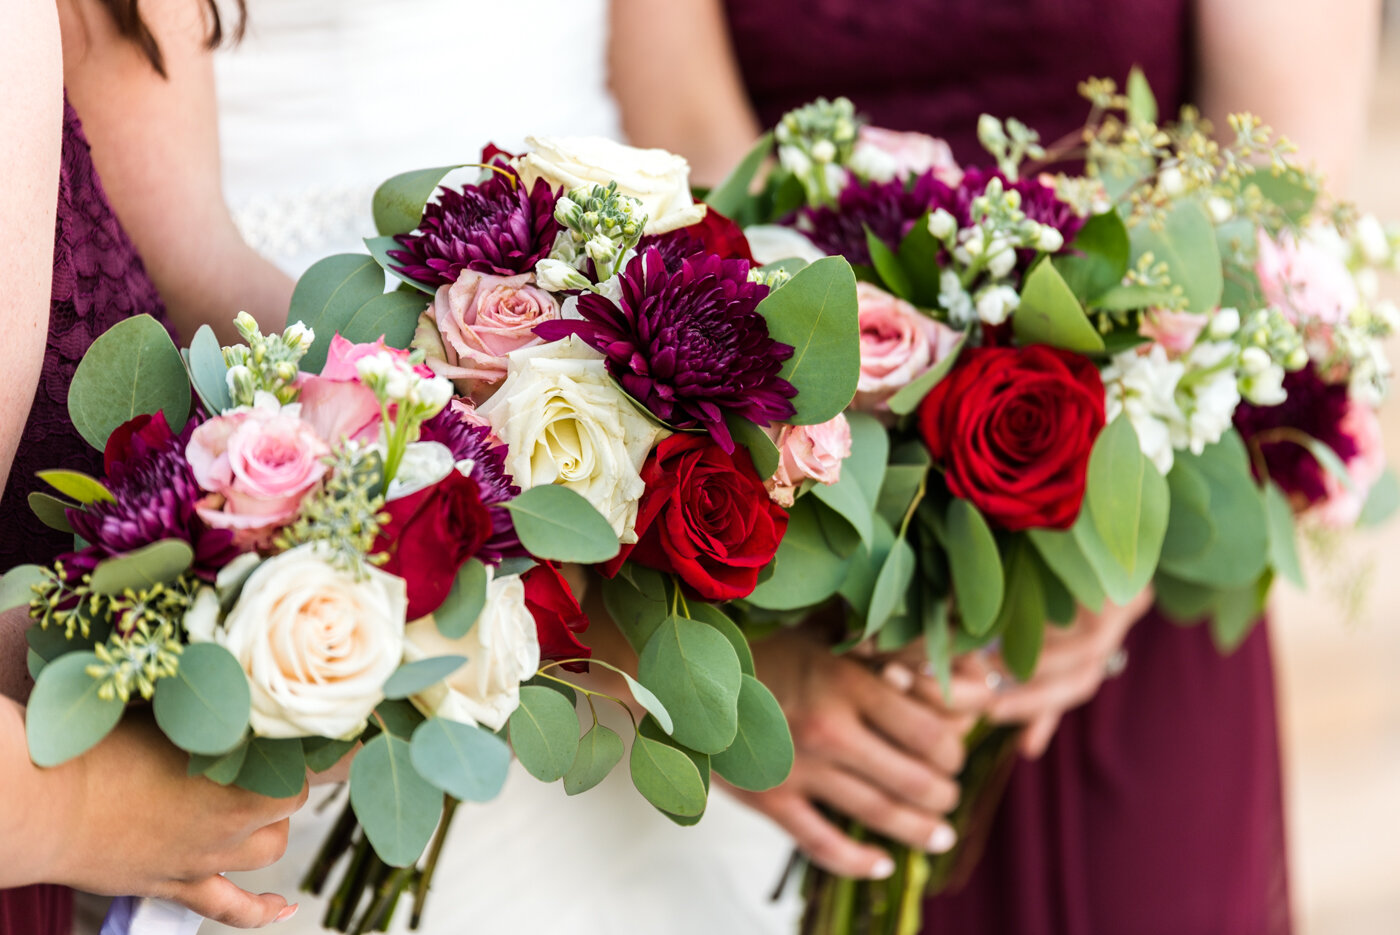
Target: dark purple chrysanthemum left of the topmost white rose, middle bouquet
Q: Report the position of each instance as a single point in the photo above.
(496, 227)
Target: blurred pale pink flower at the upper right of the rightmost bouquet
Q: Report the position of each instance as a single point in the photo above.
(1307, 282)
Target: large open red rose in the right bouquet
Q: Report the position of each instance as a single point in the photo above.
(1013, 428)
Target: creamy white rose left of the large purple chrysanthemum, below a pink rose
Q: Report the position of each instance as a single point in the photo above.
(565, 422)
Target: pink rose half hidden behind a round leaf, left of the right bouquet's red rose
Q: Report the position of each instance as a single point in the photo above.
(898, 345)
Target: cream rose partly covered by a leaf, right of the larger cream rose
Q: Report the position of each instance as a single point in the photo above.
(502, 650)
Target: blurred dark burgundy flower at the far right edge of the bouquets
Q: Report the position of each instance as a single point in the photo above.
(1314, 408)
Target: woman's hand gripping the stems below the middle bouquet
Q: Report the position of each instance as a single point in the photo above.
(873, 748)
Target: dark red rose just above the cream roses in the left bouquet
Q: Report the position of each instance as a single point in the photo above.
(430, 535)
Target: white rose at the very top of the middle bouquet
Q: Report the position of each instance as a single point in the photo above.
(657, 178)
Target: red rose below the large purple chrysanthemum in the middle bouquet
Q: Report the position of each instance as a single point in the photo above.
(706, 519)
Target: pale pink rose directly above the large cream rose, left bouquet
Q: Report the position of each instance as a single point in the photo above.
(257, 465)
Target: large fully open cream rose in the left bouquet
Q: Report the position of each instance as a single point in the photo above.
(317, 643)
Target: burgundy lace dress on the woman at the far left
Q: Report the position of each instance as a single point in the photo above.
(99, 281)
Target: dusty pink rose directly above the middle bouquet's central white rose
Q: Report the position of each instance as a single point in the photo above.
(484, 318)
